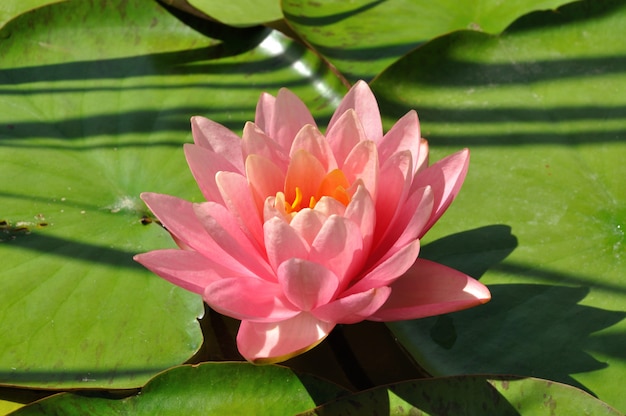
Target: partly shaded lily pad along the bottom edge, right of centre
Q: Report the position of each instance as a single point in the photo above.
(470, 395)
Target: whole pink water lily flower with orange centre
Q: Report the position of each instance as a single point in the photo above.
(303, 231)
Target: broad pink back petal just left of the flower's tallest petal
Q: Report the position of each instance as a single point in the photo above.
(290, 115)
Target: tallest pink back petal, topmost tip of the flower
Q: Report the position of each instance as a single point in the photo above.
(362, 100)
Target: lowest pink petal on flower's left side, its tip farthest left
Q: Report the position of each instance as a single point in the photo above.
(187, 269)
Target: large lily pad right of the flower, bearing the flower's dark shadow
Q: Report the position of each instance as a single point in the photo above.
(543, 210)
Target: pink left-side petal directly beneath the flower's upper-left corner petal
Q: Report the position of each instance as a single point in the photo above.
(204, 164)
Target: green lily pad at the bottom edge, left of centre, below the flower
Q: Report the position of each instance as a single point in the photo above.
(206, 389)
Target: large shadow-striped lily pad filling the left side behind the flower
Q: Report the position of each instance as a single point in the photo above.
(96, 99)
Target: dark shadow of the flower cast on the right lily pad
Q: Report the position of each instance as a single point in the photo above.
(527, 329)
